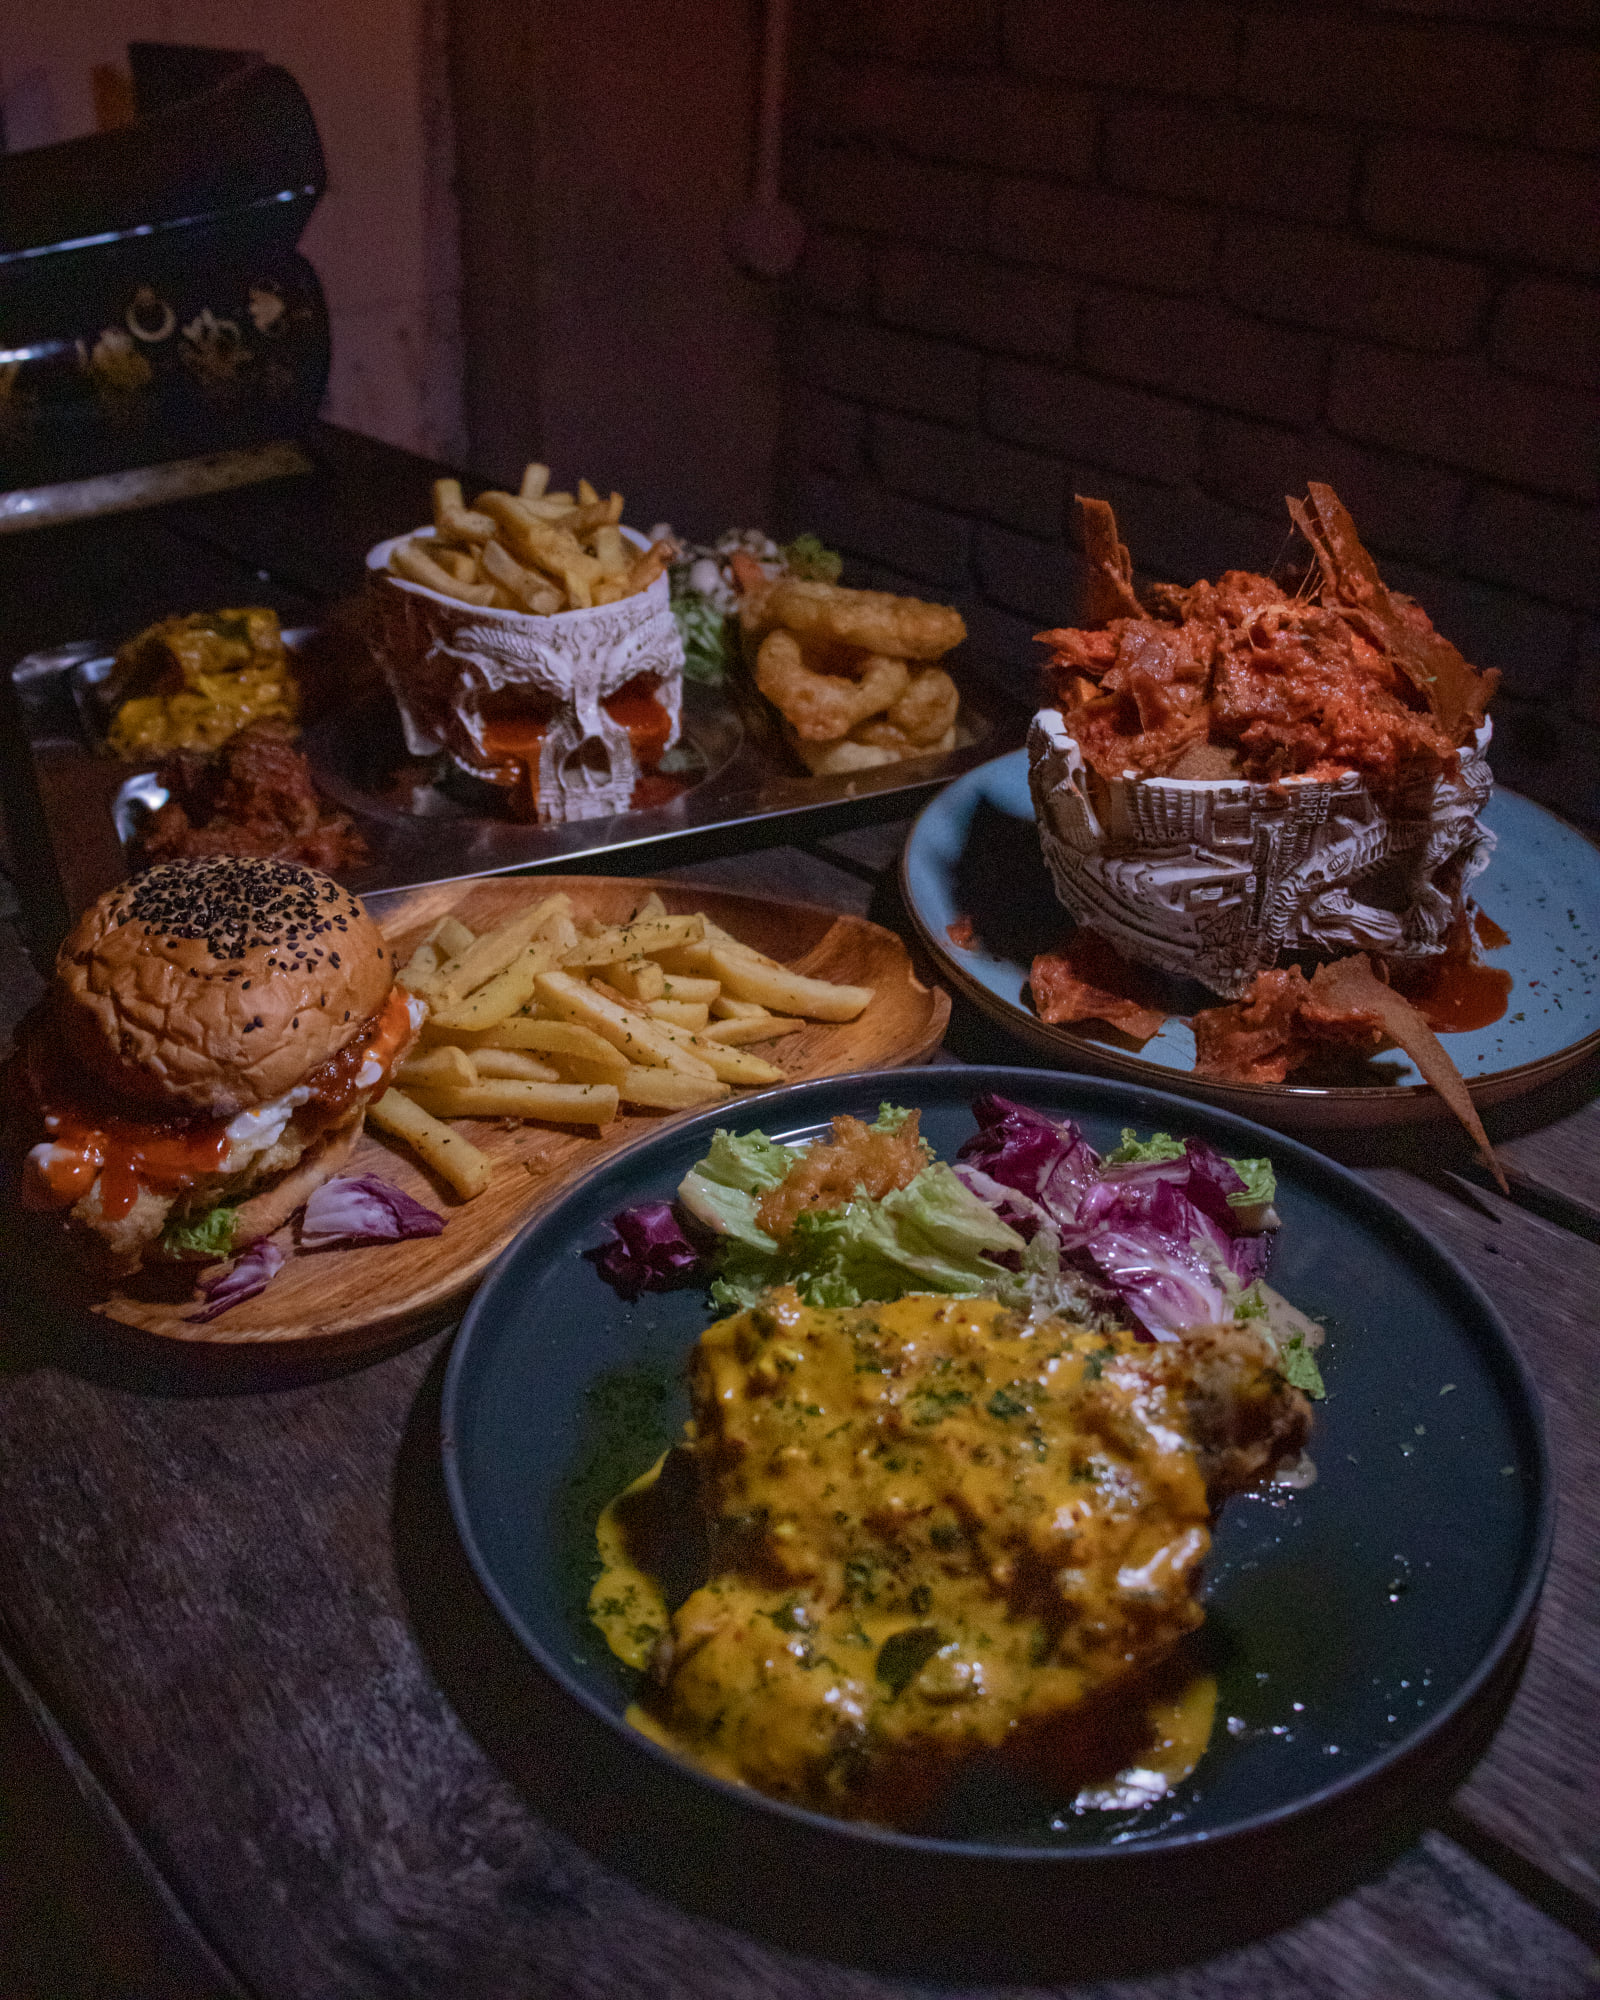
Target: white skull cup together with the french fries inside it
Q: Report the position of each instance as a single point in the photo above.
(527, 661)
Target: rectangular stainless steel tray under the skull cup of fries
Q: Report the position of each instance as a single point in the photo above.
(69, 839)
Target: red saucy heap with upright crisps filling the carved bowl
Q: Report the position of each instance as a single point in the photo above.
(1243, 679)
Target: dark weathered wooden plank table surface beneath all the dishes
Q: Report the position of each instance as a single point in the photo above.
(263, 1735)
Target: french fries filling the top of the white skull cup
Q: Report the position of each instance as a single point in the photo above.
(531, 551)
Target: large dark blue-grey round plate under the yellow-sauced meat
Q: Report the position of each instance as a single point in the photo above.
(1365, 1631)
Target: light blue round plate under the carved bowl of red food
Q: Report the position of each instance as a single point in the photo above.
(975, 855)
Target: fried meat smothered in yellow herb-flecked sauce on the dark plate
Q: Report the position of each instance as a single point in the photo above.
(935, 1533)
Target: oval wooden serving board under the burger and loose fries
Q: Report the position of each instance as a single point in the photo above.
(383, 1291)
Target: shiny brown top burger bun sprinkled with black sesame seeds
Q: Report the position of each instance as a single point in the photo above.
(213, 985)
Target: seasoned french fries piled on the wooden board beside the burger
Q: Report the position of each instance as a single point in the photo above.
(567, 1023)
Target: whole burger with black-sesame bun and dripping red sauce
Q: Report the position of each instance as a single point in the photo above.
(205, 1057)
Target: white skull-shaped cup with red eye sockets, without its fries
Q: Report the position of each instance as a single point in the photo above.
(565, 711)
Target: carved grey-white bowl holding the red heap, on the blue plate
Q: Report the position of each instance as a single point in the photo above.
(1215, 879)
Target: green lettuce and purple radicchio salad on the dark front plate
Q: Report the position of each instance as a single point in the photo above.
(1161, 1235)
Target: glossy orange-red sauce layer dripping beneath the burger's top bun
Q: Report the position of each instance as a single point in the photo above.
(169, 1157)
